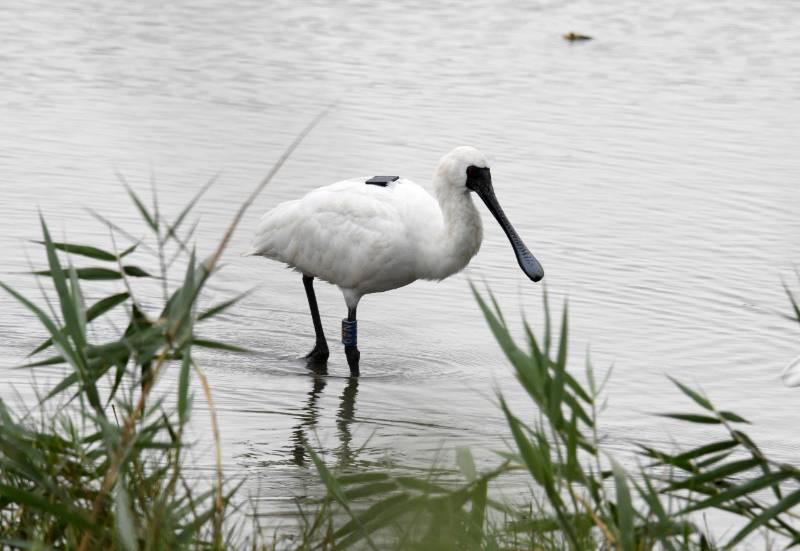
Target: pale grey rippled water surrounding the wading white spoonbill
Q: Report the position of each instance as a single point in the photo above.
(652, 170)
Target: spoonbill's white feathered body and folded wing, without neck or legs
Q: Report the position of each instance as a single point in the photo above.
(352, 234)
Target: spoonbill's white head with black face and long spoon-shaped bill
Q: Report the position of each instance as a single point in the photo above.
(465, 170)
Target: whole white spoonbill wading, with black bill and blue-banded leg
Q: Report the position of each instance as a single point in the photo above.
(369, 235)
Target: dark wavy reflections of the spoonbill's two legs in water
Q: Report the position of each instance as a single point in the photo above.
(310, 418)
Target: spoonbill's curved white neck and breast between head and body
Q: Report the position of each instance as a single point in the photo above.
(459, 236)
